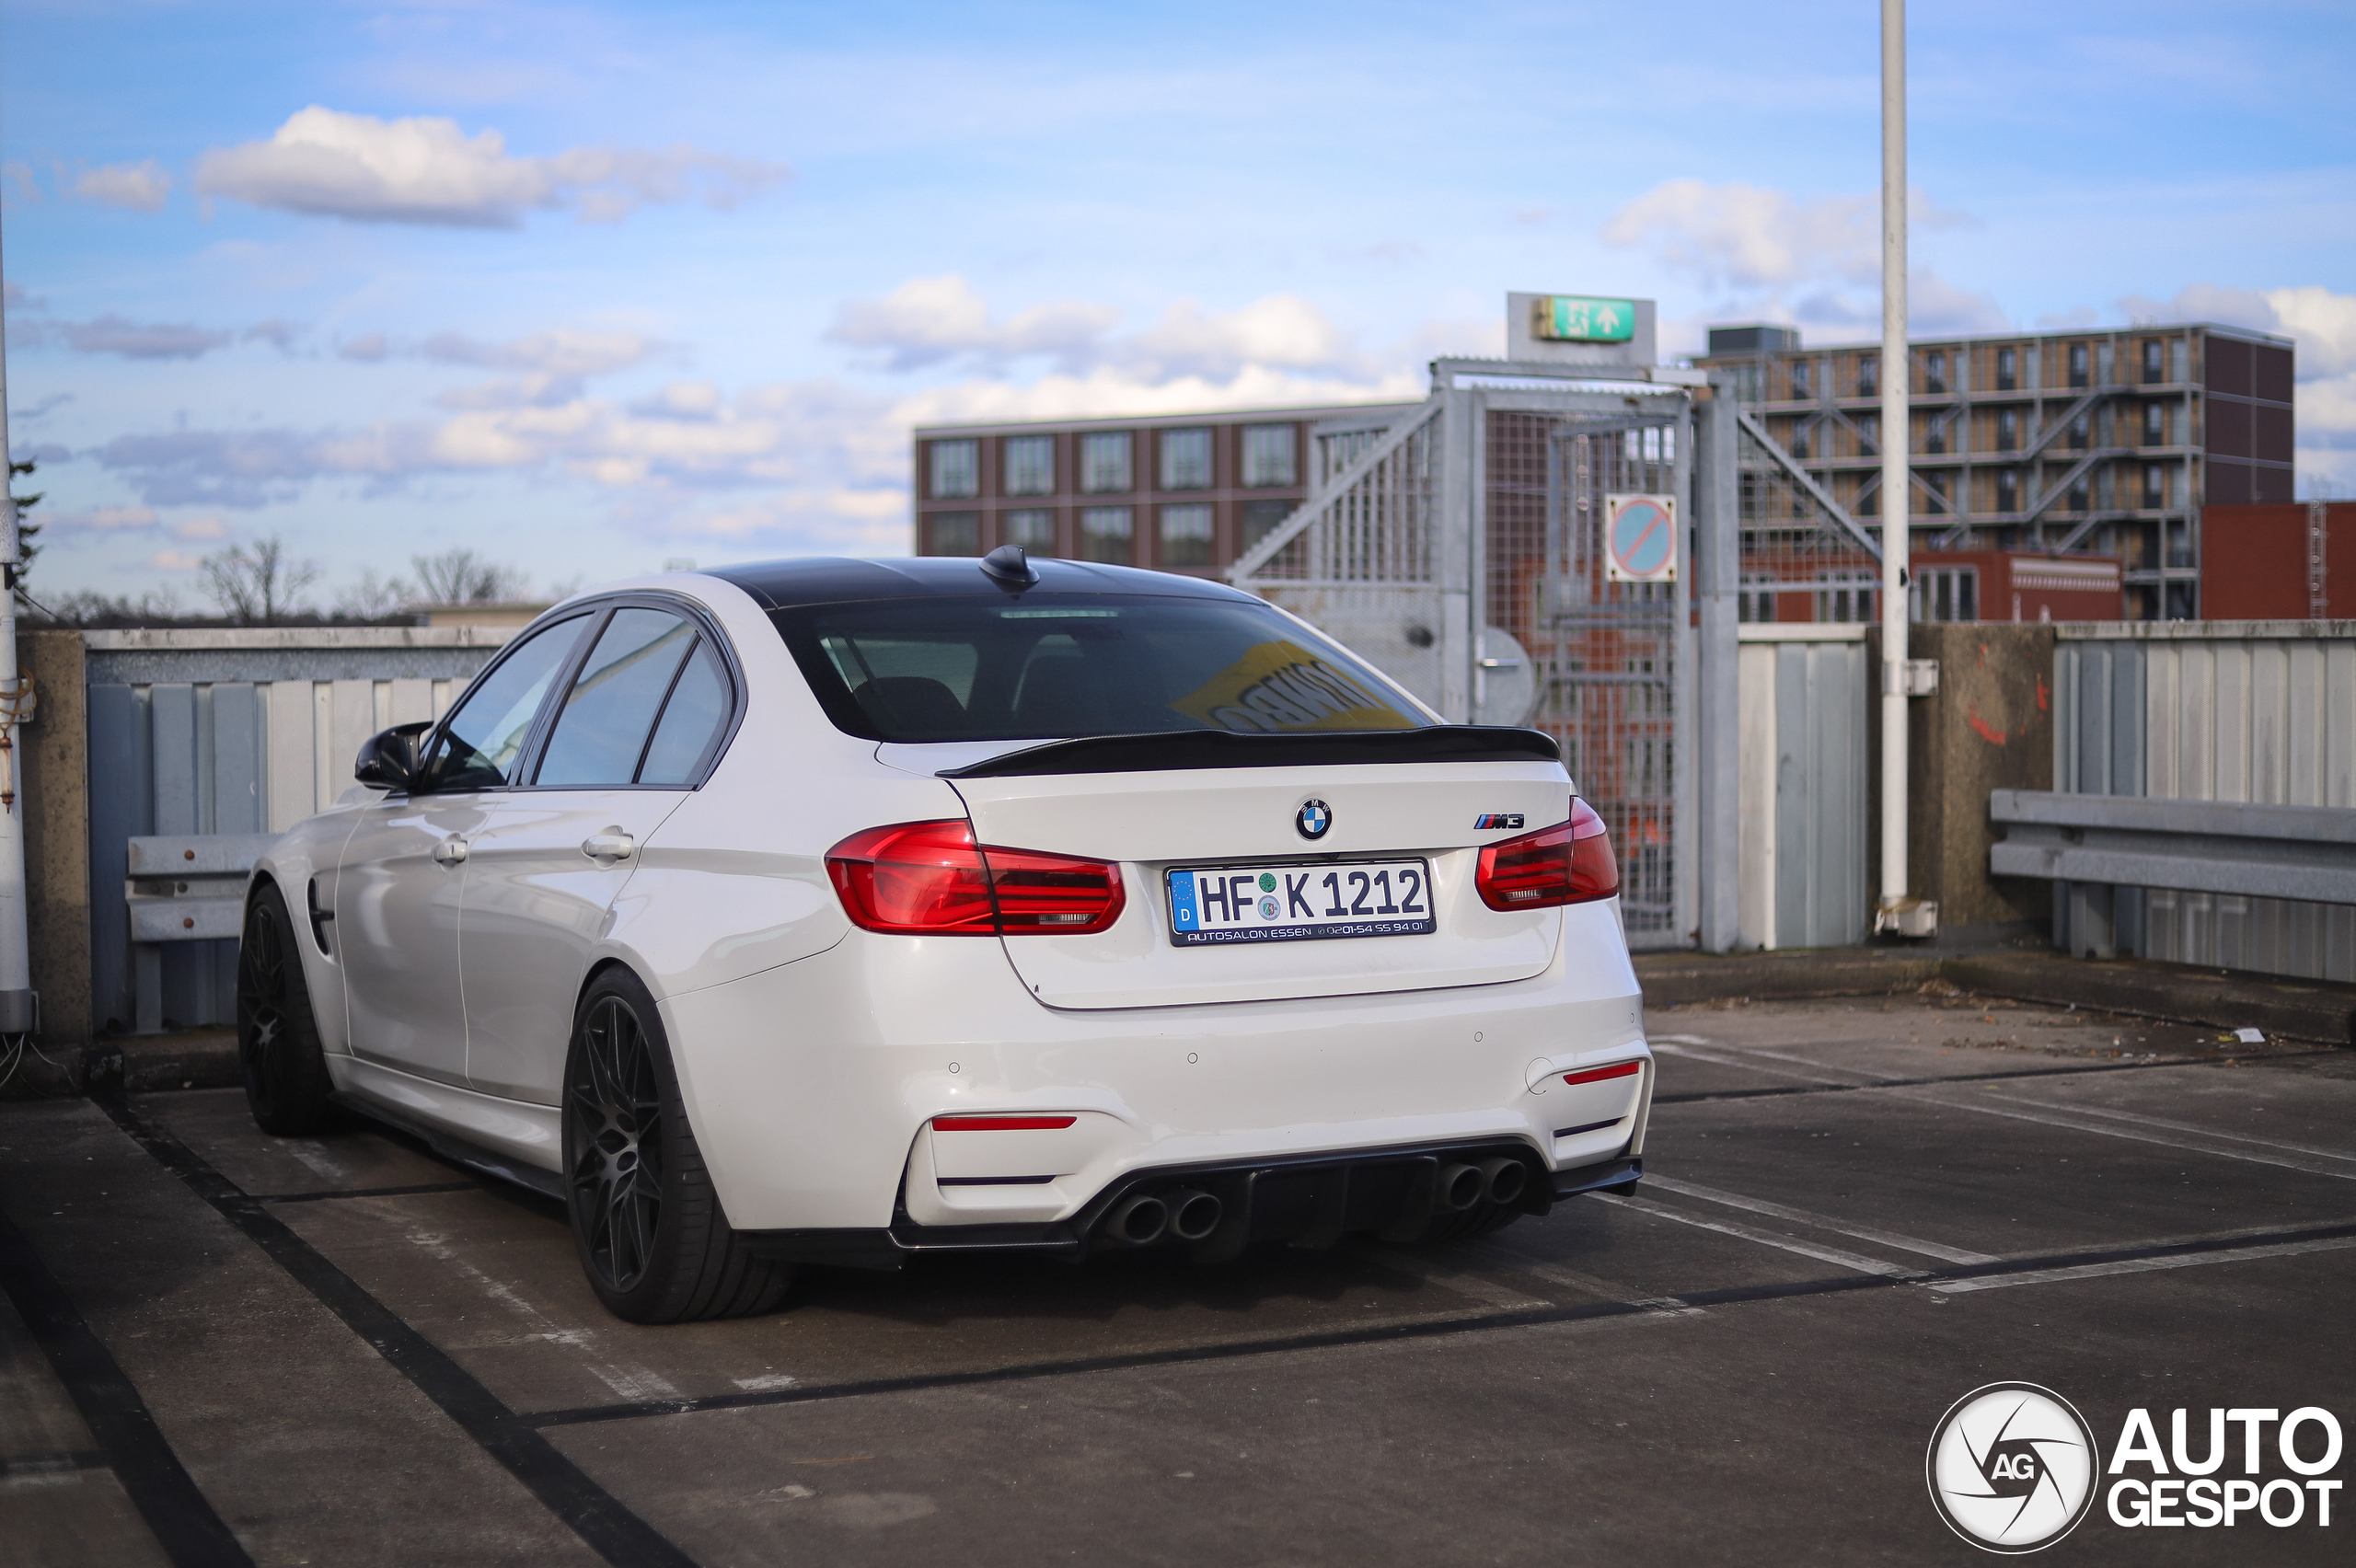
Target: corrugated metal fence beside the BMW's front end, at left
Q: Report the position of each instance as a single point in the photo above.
(232, 733)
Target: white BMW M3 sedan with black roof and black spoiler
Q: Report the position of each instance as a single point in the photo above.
(830, 912)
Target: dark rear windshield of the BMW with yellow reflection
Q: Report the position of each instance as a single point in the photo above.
(1071, 665)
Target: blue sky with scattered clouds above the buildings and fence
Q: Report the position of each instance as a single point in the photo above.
(600, 288)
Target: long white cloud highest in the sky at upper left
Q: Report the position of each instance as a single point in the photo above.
(428, 171)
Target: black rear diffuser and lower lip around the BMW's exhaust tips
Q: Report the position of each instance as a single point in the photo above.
(1304, 1202)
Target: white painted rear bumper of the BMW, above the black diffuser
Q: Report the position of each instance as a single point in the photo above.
(814, 1087)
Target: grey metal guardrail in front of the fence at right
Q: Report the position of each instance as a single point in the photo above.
(2190, 846)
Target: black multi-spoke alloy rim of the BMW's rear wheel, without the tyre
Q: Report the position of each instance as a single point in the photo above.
(618, 1145)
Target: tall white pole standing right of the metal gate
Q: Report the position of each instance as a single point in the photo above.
(1898, 432)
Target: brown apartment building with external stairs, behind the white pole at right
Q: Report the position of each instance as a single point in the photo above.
(2100, 444)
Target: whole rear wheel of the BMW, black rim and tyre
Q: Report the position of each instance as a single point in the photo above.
(647, 1221)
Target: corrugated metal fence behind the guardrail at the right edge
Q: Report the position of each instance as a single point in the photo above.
(2258, 712)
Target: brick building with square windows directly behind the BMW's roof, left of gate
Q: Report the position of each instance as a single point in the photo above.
(1177, 493)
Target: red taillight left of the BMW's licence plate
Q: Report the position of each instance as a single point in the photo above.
(932, 879)
